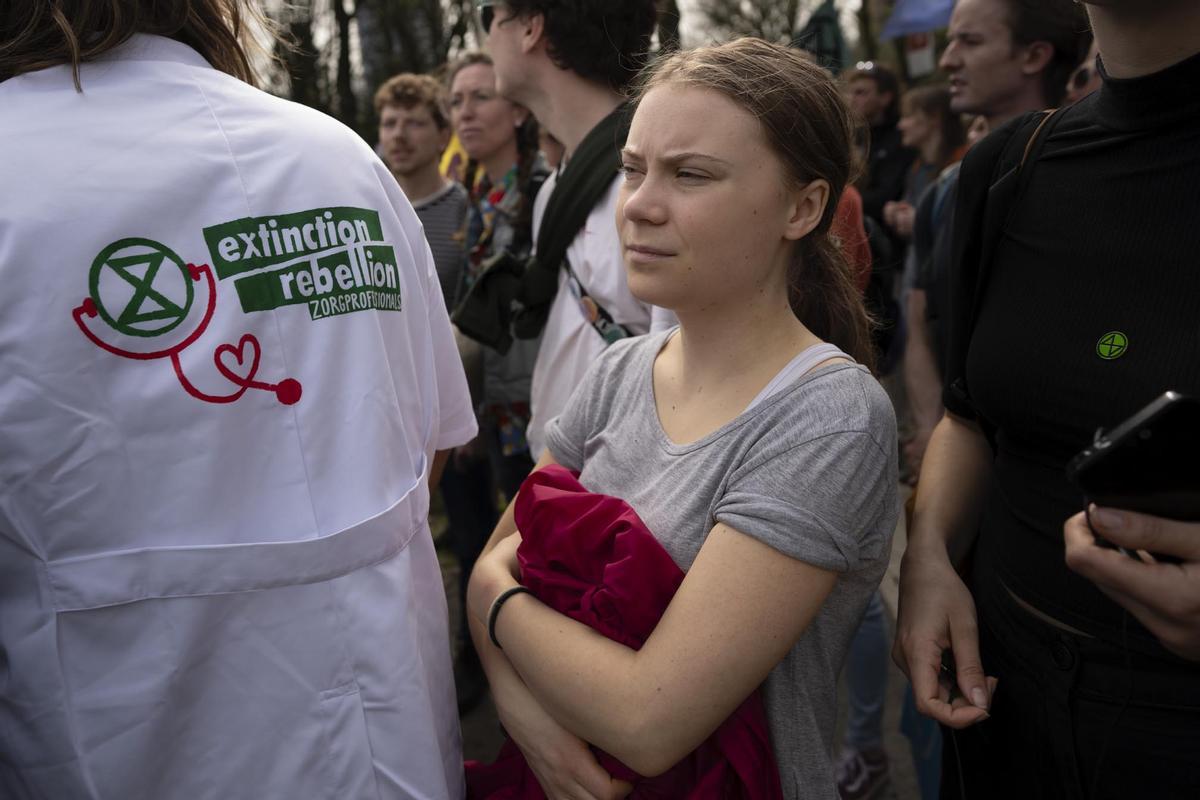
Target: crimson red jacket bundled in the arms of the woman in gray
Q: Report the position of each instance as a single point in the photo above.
(592, 558)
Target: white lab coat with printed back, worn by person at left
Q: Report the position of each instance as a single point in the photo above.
(217, 574)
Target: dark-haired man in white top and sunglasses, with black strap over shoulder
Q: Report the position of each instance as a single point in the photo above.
(569, 62)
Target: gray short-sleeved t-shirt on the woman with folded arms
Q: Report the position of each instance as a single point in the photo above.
(812, 472)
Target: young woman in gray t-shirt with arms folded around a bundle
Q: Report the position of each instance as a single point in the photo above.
(757, 449)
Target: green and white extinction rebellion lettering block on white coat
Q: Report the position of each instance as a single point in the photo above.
(335, 261)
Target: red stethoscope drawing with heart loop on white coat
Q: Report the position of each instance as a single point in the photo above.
(287, 392)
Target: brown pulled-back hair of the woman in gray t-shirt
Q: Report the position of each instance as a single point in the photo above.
(808, 125)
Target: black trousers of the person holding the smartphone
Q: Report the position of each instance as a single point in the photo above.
(1075, 719)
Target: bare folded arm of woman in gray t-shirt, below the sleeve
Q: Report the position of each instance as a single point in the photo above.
(741, 609)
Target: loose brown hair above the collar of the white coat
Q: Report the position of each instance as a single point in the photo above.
(39, 34)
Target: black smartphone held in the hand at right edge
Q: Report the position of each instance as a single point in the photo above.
(1149, 464)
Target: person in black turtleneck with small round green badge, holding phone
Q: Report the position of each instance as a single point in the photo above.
(1097, 655)
